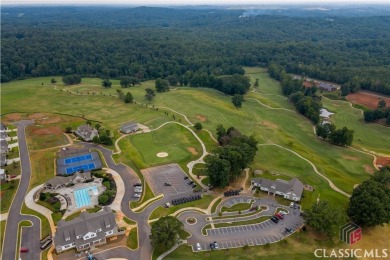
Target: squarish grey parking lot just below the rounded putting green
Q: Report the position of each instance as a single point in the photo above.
(172, 174)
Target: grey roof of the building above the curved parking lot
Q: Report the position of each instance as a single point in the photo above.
(294, 185)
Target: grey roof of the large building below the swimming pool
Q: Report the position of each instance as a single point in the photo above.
(86, 222)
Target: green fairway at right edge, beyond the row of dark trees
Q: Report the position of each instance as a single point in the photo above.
(368, 136)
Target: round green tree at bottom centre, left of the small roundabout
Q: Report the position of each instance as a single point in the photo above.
(165, 233)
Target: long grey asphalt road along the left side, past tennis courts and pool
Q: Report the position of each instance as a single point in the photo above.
(14, 217)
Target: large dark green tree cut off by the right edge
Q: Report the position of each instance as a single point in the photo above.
(369, 204)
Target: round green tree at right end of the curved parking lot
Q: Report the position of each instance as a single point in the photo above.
(325, 218)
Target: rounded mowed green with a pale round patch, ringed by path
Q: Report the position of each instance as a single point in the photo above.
(172, 138)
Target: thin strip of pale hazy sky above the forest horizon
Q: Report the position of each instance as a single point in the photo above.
(194, 2)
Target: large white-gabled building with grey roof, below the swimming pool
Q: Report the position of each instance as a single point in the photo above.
(86, 231)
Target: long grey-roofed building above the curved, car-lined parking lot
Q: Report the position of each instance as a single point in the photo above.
(291, 190)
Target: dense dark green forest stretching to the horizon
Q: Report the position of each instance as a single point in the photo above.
(193, 45)
